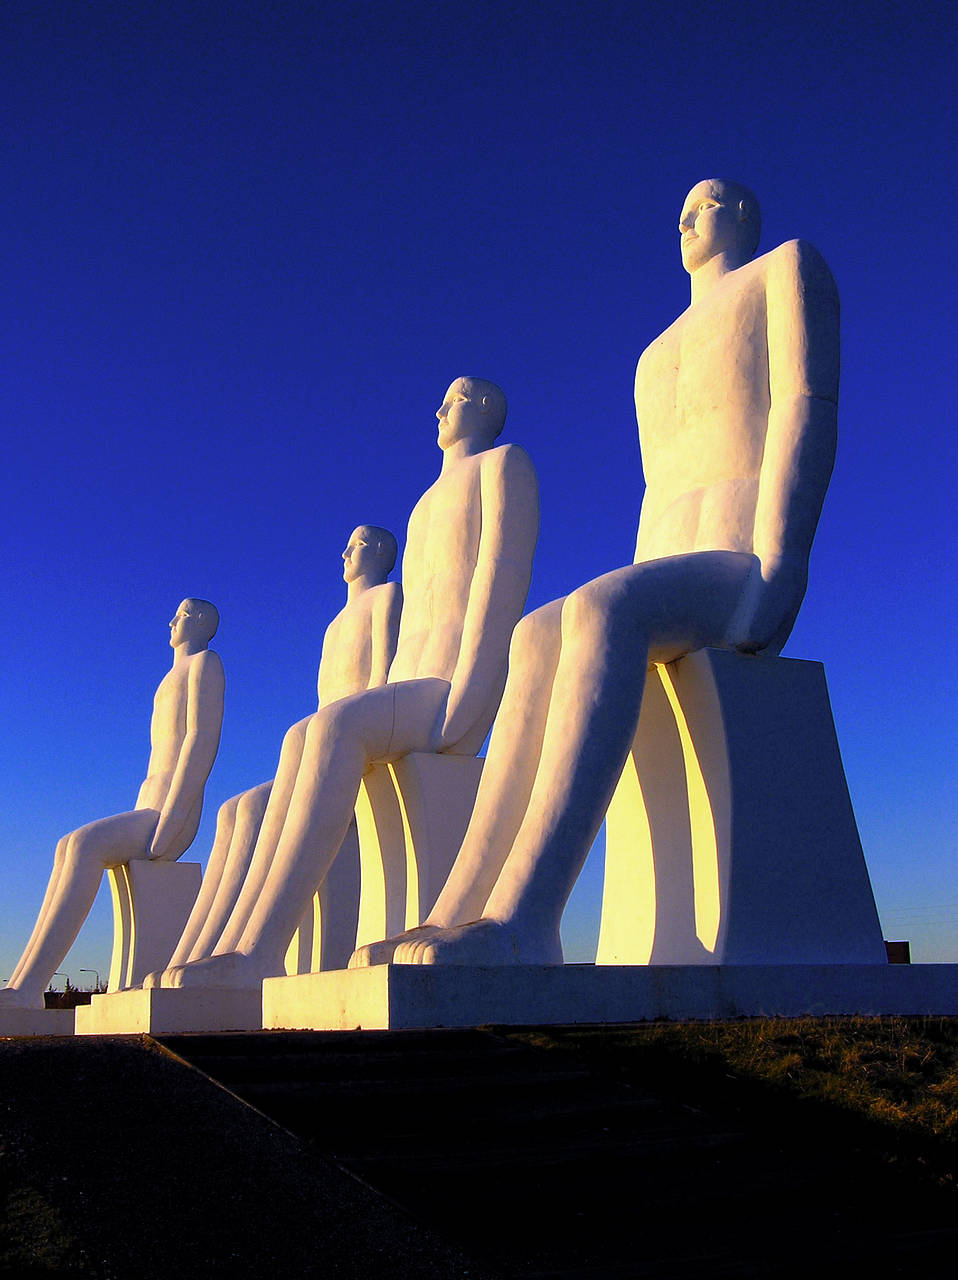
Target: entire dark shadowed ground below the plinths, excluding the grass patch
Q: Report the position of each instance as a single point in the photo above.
(494, 1153)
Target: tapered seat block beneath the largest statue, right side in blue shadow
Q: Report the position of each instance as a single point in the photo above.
(731, 838)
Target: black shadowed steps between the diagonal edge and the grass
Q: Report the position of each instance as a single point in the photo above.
(555, 1164)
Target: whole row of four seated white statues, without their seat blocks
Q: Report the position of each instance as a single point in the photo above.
(737, 410)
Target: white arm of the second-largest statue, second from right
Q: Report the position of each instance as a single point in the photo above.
(510, 527)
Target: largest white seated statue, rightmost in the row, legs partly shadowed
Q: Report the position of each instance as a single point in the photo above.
(737, 405)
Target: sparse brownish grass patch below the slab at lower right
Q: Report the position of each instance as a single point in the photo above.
(889, 1086)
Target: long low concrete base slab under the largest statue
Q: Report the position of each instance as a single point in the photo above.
(419, 996)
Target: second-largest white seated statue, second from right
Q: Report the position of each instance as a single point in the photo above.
(466, 577)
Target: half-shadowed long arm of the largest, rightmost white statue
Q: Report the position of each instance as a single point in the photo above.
(800, 449)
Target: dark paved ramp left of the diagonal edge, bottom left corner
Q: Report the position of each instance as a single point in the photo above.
(121, 1162)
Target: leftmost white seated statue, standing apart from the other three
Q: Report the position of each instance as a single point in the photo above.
(185, 734)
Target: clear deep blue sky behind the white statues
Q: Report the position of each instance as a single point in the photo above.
(245, 249)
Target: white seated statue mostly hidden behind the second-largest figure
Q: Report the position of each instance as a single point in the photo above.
(358, 650)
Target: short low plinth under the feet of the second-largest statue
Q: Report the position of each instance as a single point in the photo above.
(165, 1013)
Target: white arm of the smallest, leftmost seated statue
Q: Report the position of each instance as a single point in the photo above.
(204, 721)
